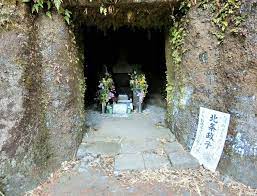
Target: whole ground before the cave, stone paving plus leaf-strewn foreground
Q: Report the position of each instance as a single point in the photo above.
(136, 155)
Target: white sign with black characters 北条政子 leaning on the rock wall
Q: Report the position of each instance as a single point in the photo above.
(210, 137)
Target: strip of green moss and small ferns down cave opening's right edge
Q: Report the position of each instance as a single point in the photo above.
(175, 78)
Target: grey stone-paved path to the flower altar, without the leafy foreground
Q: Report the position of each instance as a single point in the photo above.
(136, 142)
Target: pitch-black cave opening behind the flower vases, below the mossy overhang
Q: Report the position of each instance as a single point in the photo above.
(120, 51)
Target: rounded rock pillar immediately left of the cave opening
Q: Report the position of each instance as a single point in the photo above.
(62, 84)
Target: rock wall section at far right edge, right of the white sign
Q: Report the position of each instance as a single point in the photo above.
(239, 62)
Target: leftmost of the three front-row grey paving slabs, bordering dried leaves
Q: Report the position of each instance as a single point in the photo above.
(129, 162)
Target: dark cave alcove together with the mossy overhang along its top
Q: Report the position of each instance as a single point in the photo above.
(119, 38)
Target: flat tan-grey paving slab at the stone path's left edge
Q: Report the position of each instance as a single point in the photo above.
(100, 147)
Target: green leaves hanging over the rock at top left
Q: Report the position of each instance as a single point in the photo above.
(48, 6)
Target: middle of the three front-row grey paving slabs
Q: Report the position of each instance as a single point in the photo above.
(155, 161)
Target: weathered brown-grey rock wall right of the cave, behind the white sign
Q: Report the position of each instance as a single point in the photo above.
(222, 77)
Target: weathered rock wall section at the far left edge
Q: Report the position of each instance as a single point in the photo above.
(14, 41)
